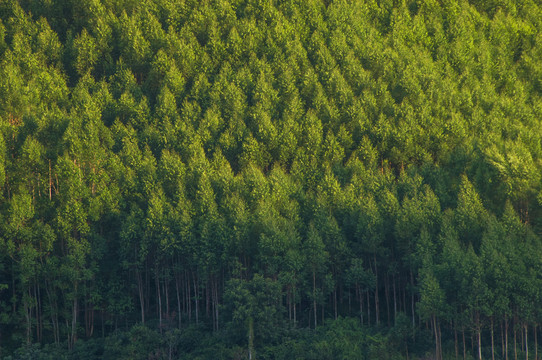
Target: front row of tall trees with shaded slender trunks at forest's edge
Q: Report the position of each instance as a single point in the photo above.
(339, 251)
